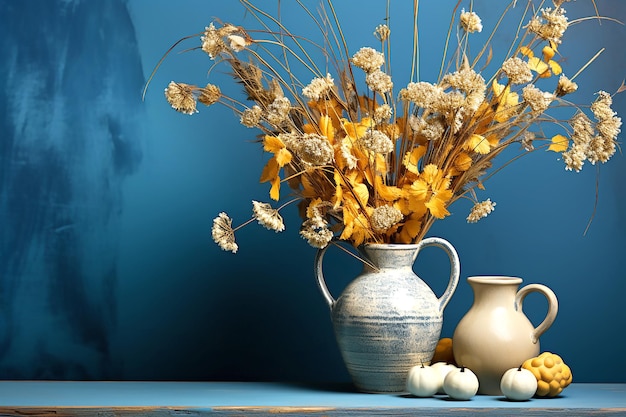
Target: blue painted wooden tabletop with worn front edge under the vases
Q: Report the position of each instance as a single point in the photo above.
(47, 398)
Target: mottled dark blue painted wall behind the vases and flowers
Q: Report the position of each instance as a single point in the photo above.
(107, 267)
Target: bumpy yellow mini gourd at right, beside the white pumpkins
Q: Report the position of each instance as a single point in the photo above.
(552, 374)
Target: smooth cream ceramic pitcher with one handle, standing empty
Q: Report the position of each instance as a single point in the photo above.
(495, 334)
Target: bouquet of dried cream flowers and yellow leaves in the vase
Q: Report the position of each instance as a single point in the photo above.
(372, 165)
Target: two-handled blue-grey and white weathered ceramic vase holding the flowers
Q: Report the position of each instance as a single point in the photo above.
(387, 319)
